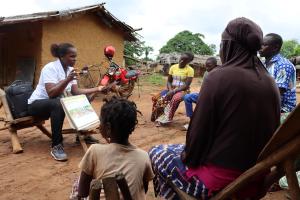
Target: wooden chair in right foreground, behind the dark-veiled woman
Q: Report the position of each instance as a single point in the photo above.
(278, 158)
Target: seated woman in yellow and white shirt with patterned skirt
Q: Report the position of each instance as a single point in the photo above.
(179, 81)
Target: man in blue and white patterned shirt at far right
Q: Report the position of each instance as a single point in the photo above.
(282, 70)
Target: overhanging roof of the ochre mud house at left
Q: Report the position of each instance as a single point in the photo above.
(98, 9)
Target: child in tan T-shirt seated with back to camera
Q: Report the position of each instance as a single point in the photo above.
(118, 119)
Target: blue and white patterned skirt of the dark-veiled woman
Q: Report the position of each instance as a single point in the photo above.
(167, 165)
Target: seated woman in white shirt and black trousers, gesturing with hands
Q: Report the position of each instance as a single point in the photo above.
(56, 78)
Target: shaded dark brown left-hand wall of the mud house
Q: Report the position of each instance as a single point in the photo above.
(20, 42)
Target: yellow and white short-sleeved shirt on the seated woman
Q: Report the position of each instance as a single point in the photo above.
(180, 74)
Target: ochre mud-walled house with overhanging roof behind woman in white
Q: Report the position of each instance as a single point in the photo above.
(25, 40)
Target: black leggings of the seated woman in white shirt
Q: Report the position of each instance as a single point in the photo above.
(52, 108)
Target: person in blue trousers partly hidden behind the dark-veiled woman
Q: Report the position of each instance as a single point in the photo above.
(191, 98)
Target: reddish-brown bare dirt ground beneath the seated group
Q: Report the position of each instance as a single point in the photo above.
(33, 174)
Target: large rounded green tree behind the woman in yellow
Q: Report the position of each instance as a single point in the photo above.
(187, 41)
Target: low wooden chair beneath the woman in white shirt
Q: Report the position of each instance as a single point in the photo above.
(13, 125)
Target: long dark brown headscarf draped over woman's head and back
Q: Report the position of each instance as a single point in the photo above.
(239, 106)
